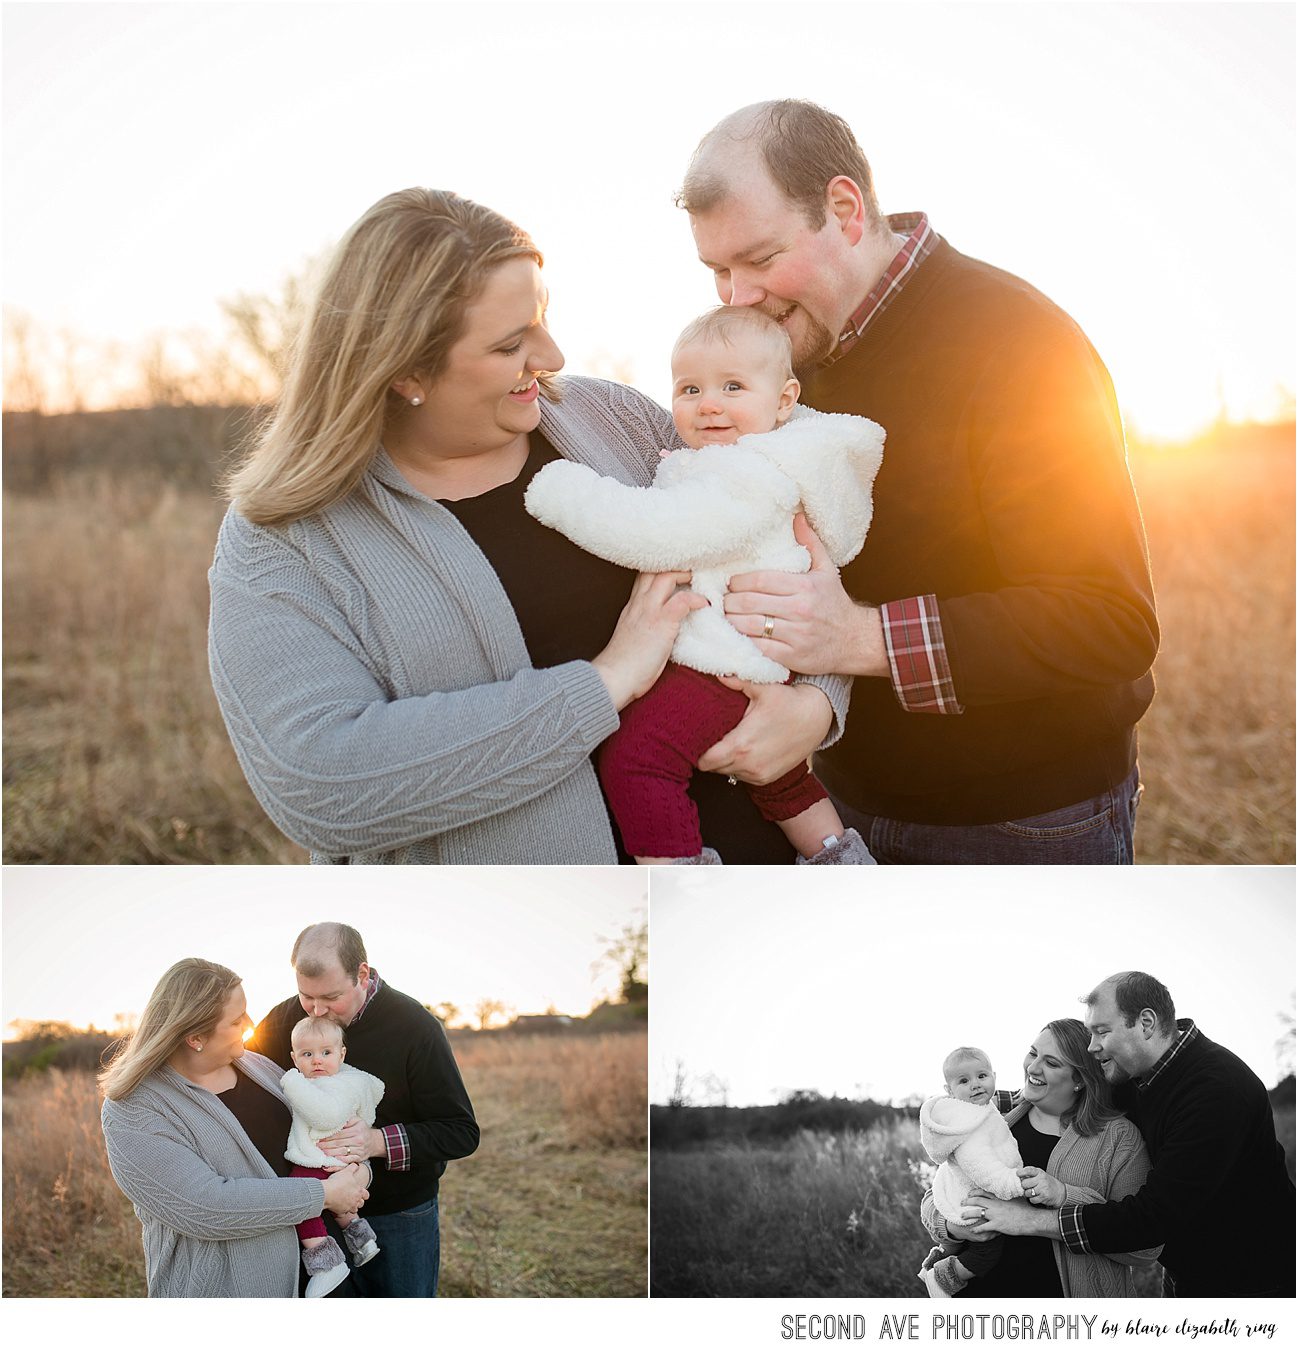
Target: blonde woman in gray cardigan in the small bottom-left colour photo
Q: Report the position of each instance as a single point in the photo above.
(195, 1130)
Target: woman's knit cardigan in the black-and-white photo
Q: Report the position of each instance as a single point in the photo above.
(1105, 1167)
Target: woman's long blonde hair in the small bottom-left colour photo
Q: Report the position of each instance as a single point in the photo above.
(189, 1003)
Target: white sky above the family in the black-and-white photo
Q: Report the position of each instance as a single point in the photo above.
(863, 989)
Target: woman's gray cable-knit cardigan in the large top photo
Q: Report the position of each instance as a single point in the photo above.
(377, 685)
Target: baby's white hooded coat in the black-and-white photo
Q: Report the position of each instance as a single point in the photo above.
(973, 1149)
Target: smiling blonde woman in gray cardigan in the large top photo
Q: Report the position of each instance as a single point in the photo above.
(413, 671)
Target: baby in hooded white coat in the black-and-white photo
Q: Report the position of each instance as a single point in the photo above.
(969, 1140)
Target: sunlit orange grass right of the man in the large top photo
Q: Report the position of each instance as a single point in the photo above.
(1218, 747)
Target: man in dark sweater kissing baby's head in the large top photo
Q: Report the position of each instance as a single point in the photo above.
(1001, 616)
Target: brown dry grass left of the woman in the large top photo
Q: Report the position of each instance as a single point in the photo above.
(116, 751)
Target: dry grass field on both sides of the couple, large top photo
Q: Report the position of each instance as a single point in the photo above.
(116, 751)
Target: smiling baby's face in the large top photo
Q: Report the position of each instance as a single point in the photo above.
(724, 391)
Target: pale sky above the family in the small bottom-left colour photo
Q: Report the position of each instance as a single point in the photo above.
(83, 944)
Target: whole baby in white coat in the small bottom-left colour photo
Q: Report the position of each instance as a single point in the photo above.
(324, 1096)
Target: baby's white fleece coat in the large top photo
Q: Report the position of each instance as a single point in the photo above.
(725, 510)
